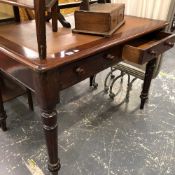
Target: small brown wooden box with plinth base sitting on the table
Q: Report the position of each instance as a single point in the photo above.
(100, 19)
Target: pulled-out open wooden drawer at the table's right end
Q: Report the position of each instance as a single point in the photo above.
(150, 46)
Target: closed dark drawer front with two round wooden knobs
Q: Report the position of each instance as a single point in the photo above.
(77, 71)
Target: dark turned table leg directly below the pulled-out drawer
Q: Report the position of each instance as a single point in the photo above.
(147, 81)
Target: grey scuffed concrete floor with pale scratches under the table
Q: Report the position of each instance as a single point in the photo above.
(98, 136)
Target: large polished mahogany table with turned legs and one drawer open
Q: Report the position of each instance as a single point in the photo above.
(71, 58)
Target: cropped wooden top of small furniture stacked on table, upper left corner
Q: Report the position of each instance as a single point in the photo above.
(27, 3)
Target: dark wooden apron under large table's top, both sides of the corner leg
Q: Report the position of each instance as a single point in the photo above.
(68, 74)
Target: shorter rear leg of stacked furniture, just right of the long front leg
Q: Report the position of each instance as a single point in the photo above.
(54, 14)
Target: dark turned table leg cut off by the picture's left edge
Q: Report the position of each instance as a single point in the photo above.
(3, 115)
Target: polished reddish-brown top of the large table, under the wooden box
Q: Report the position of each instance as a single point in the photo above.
(19, 41)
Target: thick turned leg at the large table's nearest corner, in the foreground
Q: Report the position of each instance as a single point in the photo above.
(47, 95)
